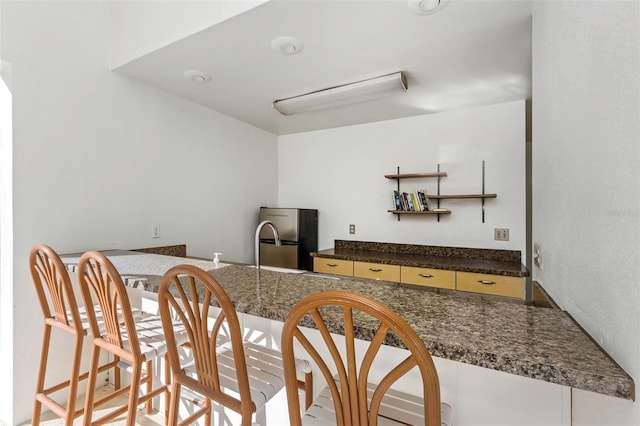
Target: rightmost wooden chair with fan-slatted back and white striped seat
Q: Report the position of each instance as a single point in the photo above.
(350, 398)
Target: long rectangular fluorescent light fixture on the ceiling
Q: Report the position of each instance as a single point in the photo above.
(351, 93)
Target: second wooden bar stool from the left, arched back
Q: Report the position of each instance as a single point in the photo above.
(134, 343)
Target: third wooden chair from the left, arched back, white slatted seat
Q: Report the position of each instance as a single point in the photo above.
(222, 361)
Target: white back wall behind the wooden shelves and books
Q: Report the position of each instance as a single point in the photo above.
(341, 173)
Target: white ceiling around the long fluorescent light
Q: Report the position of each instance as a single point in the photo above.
(470, 53)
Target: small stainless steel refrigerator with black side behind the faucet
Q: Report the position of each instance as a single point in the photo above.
(298, 230)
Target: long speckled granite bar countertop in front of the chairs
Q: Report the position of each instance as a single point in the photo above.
(539, 343)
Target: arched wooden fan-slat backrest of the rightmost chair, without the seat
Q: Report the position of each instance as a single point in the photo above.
(353, 406)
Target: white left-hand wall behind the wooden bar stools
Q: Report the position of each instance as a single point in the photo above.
(99, 158)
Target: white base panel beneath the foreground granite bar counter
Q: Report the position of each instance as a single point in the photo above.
(479, 396)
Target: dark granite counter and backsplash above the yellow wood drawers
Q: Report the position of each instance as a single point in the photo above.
(484, 261)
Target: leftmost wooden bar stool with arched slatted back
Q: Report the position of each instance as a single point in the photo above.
(61, 312)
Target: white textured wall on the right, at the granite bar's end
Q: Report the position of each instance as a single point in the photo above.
(586, 196)
